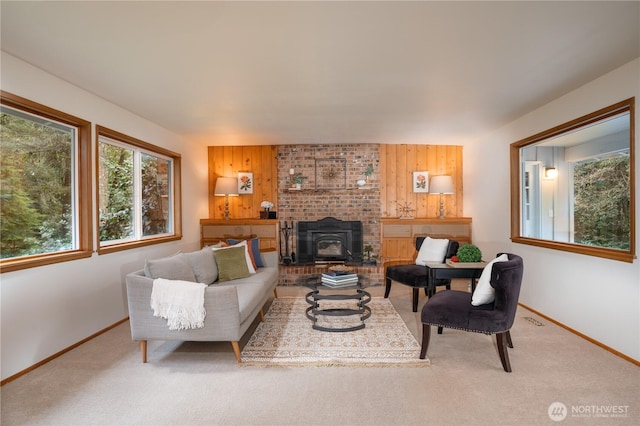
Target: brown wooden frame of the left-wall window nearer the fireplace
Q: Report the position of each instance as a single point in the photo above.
(176, 158)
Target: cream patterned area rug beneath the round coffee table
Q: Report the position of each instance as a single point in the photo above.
(286, 338)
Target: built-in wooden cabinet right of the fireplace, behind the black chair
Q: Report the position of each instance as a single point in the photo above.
(398, 235)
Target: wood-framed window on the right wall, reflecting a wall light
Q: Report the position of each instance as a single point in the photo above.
(572, 186)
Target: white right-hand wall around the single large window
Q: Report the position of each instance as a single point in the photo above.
(599, 298)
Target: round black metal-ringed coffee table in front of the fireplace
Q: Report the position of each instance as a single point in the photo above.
(320, 292)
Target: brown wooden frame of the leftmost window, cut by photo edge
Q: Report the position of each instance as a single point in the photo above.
(83, 188)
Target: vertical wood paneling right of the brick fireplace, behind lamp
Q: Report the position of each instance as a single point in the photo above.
(397, 164)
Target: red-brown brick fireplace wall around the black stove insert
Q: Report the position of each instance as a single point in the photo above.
(329, 192)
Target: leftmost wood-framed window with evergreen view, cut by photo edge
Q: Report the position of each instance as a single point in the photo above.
(45, 191)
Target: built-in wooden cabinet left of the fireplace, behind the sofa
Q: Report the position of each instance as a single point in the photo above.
(214, 230)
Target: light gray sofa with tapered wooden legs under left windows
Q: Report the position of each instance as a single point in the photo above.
(231, 306)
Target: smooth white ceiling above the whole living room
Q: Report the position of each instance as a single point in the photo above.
(325, 72)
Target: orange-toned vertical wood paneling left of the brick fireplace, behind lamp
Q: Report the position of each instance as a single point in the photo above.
(228, 161)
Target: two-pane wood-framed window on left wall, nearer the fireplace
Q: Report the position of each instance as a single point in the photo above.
(138, 192)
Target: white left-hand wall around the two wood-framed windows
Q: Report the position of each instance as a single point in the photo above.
(49, 308)
